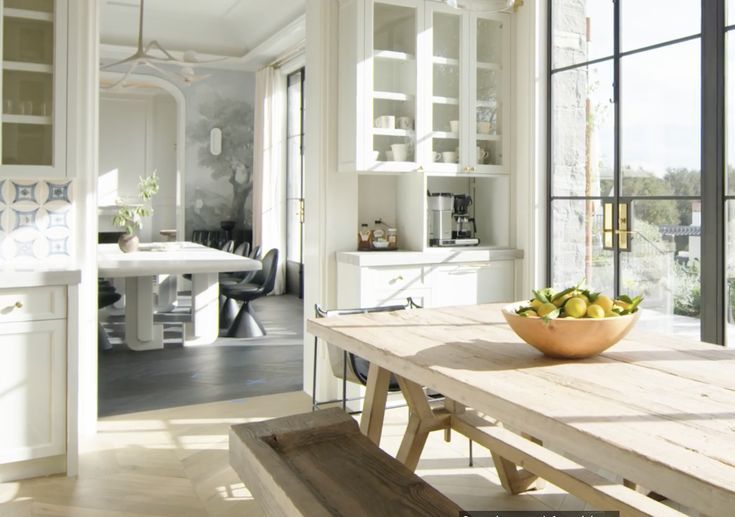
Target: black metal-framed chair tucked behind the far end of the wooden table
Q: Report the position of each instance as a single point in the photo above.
(351, 367)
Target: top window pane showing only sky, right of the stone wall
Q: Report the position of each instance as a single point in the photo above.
(648, 22)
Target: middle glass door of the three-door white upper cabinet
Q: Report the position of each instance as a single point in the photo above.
(447, 95)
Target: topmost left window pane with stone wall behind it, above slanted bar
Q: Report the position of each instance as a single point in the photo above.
(581, 31)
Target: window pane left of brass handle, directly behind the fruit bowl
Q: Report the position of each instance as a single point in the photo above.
(578, 245)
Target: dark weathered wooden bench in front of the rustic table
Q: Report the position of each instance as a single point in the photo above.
(318, 464)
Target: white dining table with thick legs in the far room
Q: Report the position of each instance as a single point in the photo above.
(140, 269)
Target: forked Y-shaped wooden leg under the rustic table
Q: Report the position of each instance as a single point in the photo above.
(421, 421)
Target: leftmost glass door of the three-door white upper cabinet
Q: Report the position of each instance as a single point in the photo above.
(394, 86)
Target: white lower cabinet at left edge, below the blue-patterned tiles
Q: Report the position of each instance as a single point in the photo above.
(33, 368)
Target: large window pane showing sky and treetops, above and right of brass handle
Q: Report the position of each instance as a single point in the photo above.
(660, 121)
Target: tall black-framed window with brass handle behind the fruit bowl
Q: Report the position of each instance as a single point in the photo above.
(625, 181)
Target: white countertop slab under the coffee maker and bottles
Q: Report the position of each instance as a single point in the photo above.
(430, 256)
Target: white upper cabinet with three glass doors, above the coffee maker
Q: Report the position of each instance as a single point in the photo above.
(424, 106)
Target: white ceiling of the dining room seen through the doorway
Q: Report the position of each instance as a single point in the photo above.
(231, 28)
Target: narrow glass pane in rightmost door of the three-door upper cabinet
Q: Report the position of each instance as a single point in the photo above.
(489, 78)
